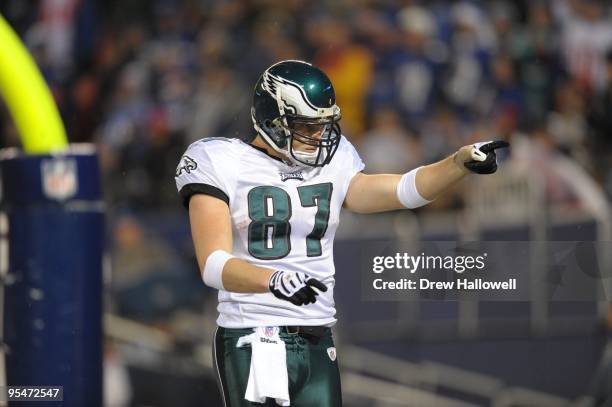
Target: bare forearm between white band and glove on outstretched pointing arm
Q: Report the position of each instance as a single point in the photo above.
(433, 179)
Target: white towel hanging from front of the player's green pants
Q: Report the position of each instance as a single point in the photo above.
(268, 374)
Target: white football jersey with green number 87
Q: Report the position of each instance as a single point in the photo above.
(284, 217)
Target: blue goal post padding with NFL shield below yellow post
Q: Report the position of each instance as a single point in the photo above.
(53, 290)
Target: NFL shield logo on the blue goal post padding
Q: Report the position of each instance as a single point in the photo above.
(59, 178)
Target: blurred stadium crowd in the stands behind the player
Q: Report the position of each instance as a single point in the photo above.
(415, 80)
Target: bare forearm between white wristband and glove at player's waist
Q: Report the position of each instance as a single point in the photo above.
(240, 276)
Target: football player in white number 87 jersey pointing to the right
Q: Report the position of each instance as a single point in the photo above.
(263, 217)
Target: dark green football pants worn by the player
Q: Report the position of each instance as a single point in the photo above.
(314, 379)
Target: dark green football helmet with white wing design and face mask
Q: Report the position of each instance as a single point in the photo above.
(295, 112)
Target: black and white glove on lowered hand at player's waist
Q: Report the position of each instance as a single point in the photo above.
(295, 287)
